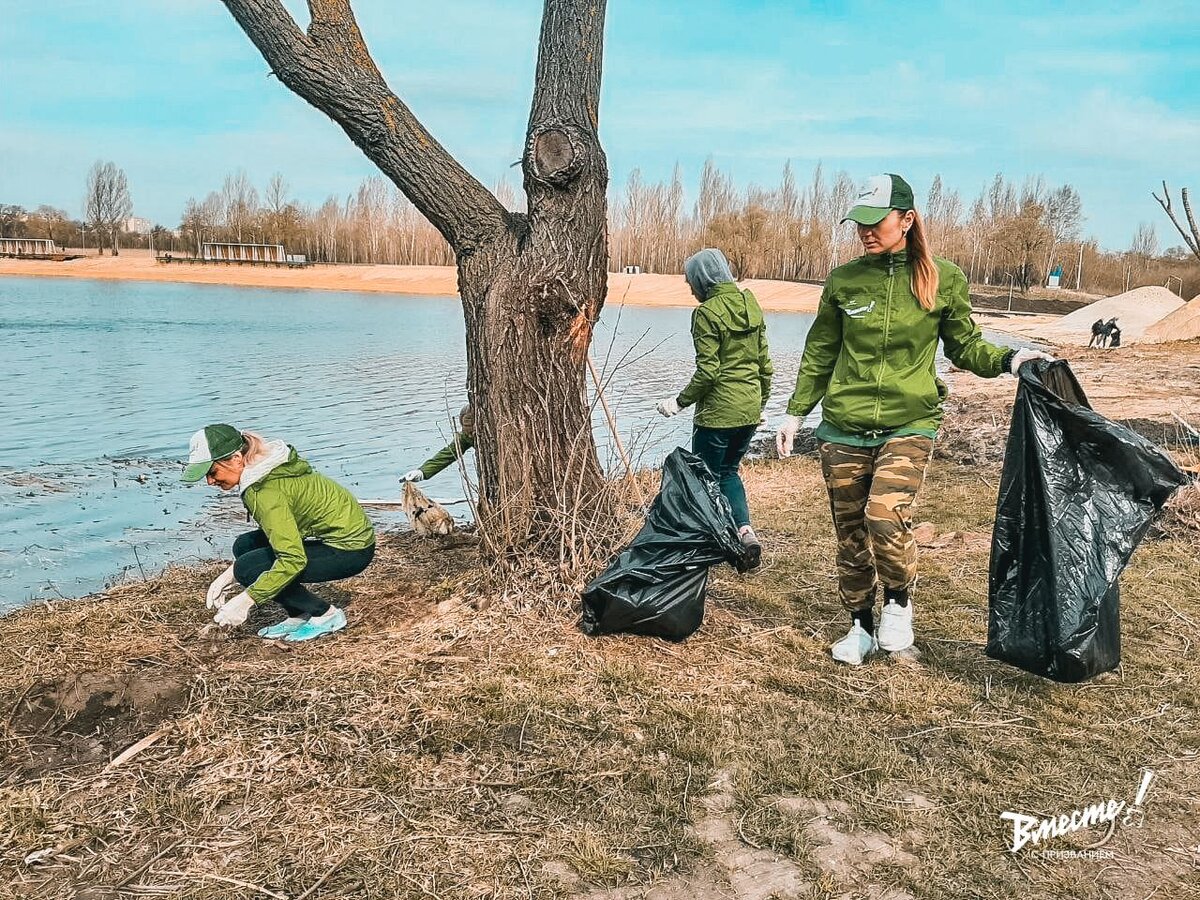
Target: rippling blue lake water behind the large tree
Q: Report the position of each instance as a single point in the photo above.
(105, 382)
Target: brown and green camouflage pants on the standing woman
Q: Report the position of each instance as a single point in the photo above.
(872, 491)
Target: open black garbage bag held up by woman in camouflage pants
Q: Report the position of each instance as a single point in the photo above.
(1077, 496)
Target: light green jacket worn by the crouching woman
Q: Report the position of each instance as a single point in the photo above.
(291, 503)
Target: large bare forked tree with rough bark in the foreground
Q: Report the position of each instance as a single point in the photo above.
(532, 285)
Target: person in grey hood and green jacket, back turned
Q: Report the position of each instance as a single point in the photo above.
(733, 381)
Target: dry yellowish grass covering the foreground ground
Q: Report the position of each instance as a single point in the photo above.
(455, 746)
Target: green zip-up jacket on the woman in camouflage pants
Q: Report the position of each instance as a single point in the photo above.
(871, 352)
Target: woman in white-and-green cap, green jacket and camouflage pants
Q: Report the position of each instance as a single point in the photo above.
(871, 361)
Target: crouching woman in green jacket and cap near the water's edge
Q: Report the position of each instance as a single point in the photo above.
(310, 530)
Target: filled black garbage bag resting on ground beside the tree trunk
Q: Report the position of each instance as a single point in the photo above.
(657, 585)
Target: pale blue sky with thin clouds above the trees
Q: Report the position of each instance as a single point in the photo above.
(1105, 97)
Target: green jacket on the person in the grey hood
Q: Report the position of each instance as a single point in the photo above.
(734, 370)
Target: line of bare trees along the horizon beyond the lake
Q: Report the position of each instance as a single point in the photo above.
(1010, 233)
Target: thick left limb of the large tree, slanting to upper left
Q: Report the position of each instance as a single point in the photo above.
(332, 69)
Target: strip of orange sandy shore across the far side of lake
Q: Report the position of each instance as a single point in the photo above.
(423, 280)
